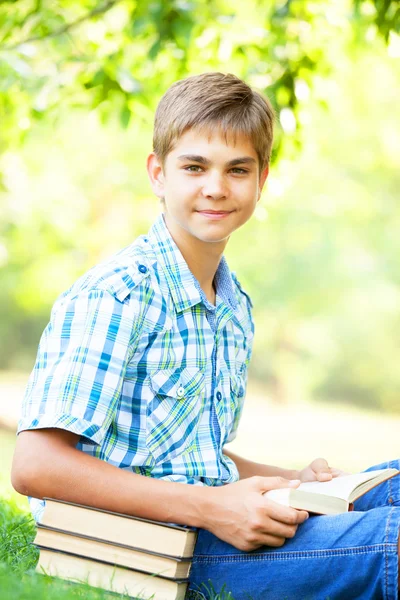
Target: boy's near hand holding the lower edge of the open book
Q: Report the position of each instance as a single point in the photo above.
(240, 515)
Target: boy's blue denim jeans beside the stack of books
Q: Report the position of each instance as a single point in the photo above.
(351, 556)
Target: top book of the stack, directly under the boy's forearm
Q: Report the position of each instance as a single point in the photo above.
(149, 536)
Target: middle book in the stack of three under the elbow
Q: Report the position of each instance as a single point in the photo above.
(112, 553)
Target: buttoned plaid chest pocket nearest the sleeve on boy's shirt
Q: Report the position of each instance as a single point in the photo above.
(174, 411)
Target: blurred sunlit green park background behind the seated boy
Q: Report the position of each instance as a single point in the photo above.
(79, 82)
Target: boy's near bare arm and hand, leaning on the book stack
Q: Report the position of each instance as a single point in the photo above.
(47, 464)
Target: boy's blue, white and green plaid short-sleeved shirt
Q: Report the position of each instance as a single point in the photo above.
(140, 365)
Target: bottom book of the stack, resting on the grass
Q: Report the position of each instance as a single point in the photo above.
(108, 577)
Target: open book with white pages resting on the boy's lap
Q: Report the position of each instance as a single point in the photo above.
(330, 497)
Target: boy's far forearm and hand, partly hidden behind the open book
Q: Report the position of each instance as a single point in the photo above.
(317, 470)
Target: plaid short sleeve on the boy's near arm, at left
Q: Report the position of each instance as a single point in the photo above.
(81, 362)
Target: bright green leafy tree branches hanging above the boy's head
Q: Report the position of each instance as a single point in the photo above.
(117, 55)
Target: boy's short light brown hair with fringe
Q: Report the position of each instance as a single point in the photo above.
(209, 101)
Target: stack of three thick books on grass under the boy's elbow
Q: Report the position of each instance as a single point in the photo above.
(115, 552)
